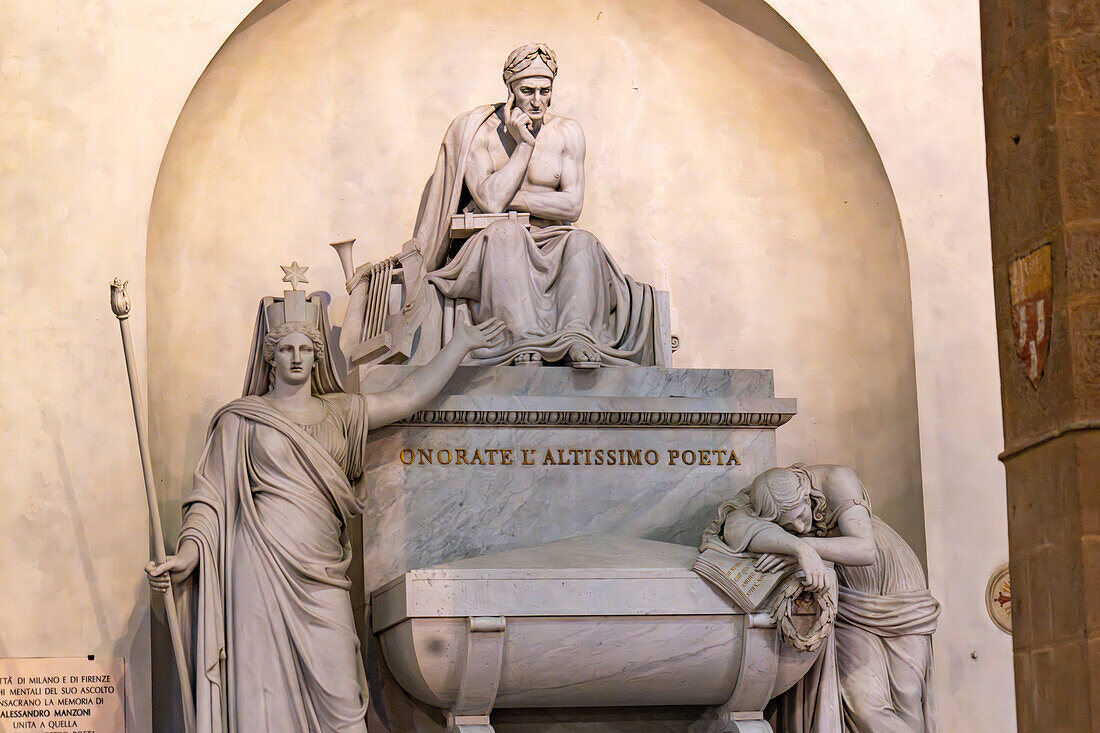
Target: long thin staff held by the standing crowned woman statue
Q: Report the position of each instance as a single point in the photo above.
(120, 304)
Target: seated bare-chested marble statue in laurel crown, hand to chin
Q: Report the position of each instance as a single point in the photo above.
(557, 289)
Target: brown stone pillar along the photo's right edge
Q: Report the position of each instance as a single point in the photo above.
(1042, 74)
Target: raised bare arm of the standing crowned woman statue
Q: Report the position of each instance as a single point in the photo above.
(416, 390)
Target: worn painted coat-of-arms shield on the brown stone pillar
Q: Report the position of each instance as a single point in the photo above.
(1030, 285)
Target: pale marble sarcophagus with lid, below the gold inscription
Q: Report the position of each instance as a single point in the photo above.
(592, 621)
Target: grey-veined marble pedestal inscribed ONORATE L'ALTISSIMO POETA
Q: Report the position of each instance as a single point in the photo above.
(511, 457)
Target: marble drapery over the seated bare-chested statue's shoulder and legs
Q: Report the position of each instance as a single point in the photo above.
(554, 287)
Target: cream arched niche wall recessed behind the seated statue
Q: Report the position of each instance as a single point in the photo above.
(725, 165)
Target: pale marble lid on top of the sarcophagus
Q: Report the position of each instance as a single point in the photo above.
(591, 575)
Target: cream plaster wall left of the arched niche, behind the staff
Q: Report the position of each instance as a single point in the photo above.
(90, 93)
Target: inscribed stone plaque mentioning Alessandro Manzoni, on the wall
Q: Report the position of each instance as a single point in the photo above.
(73, 695)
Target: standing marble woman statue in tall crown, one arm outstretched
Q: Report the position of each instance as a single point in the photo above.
(263, 552)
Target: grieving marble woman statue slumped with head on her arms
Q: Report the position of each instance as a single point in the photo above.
(876, 676)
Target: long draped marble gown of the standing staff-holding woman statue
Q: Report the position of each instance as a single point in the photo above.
(274, 646)
